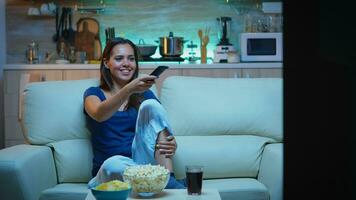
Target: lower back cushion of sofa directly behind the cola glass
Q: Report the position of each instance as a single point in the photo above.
(223, 156)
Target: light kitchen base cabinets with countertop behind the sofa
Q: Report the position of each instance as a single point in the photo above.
(15, 79)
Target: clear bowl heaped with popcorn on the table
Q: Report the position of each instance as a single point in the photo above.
(146, 180)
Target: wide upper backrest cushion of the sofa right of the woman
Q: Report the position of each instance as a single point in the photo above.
(224, 106)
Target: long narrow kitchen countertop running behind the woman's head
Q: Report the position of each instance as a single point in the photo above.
(150, 65)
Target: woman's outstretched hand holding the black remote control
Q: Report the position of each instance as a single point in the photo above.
(141, 84)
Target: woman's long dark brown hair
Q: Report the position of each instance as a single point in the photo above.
(106, 80)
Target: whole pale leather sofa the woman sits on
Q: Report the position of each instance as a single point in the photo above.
(234, 127)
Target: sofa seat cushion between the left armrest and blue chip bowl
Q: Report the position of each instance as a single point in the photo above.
(66, 191)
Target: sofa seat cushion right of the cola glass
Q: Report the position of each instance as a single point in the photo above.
(238, 188)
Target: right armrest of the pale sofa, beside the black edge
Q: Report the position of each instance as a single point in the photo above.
(271, 170)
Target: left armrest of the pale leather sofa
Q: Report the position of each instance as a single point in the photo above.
(25, 171)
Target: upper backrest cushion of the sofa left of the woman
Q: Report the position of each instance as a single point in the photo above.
(53, 110)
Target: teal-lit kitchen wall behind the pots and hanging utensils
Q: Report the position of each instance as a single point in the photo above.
(146, 19)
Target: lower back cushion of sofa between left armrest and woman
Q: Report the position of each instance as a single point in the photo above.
(73, 160)
